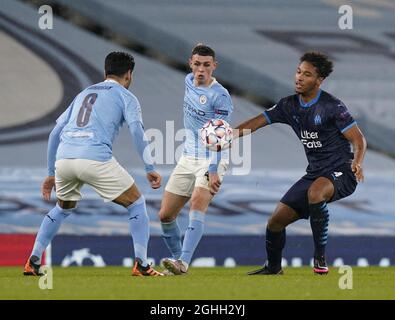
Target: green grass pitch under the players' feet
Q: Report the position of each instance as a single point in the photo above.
(200, 284)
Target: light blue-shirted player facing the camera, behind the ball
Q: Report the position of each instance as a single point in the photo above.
(198, 174)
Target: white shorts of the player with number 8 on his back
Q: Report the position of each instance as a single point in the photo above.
(109, 179)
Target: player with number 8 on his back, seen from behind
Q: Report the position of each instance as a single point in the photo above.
(80, 152)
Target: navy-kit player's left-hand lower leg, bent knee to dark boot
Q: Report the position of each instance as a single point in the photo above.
(275, 239)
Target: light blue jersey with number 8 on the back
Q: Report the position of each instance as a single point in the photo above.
(93, 119)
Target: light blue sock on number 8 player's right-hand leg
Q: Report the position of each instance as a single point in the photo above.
(139, 228)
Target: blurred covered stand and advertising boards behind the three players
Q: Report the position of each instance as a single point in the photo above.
(258, 45)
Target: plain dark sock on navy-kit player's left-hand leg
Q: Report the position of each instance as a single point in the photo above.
(275, 242)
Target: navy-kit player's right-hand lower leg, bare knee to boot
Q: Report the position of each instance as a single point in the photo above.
(319, 193)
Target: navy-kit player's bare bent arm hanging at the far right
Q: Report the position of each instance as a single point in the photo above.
(358, 141)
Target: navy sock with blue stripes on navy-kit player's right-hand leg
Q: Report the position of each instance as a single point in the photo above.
(319, 221)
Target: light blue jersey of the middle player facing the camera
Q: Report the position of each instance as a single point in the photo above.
(200, 105)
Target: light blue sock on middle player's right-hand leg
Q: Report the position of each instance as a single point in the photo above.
(192, 235)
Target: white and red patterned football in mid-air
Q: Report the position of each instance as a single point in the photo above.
(216, 134)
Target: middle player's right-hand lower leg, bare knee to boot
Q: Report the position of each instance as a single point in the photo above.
(200, 201)
